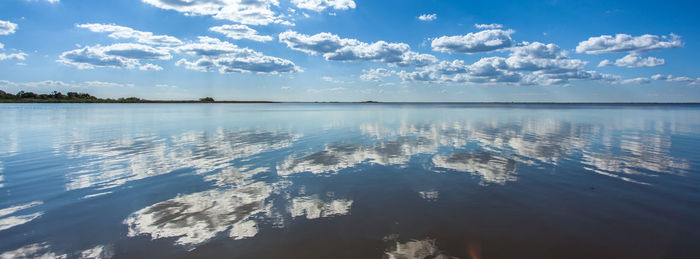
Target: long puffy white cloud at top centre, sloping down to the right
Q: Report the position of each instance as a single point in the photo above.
(332, 47)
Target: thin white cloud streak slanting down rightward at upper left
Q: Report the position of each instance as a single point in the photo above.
(121, 32)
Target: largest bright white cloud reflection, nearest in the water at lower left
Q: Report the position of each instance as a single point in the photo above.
(198, 217)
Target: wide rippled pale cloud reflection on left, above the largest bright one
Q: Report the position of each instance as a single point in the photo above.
(113, 163)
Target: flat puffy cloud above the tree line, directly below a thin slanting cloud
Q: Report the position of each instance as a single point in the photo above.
(122, 55)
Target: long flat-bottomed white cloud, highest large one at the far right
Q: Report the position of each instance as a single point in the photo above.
(628, 43)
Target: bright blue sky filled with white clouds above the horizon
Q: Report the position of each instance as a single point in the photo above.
(354, 50)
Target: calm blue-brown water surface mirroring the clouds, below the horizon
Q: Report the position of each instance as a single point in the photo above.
(349, 181)
